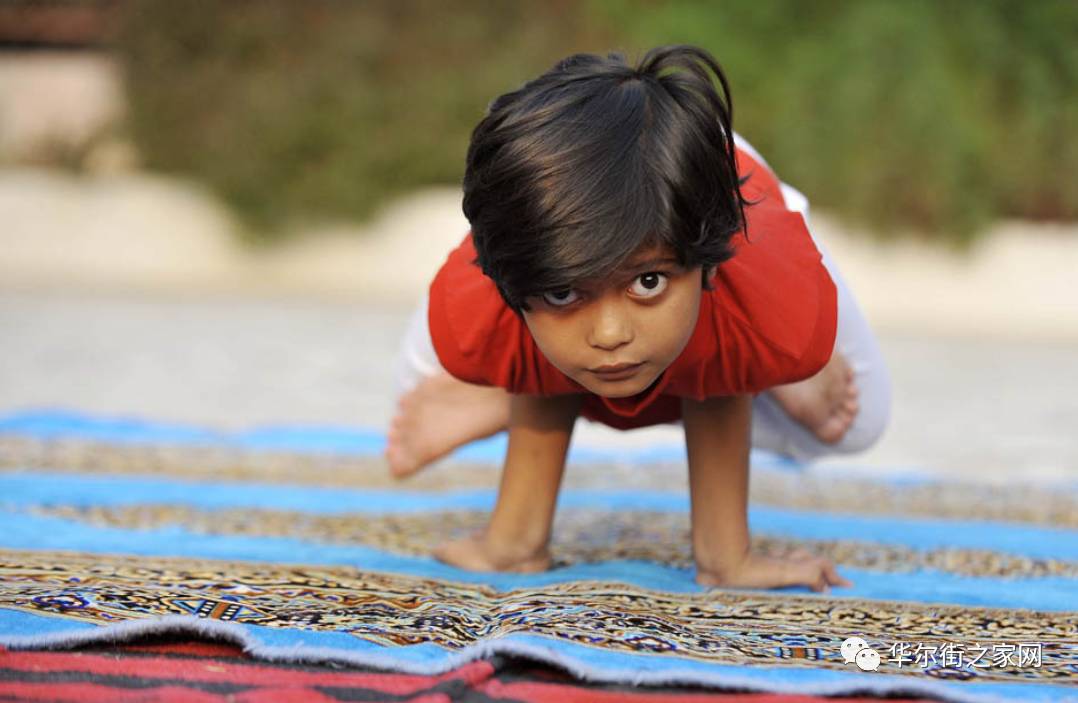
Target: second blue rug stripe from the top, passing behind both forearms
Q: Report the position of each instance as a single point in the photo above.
(43, 489)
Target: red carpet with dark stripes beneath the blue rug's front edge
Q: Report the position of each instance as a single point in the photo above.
(195, 672)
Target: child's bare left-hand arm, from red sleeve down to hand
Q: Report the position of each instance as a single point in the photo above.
(517, 537)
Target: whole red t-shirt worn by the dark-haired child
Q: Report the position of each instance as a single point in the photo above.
(770, 320)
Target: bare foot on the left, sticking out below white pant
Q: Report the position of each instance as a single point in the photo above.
(439, 416)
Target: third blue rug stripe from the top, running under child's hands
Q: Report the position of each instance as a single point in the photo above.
(32, 532)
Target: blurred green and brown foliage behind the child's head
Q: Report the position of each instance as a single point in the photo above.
(935, 116)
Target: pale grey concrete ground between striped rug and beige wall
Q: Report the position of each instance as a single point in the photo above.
(993, 410)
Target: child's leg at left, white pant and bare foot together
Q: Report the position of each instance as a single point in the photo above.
(436, 413)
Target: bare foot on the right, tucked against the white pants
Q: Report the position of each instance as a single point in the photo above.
(826, 404)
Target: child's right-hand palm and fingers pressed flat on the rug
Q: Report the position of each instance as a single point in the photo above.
(800, 568)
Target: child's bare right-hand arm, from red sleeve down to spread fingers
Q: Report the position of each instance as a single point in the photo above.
(717, 438)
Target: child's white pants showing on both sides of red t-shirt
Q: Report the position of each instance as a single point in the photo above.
(772, 429)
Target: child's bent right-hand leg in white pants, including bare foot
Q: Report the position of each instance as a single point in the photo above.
(780, 421)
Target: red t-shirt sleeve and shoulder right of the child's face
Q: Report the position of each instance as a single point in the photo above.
(772, 314)
